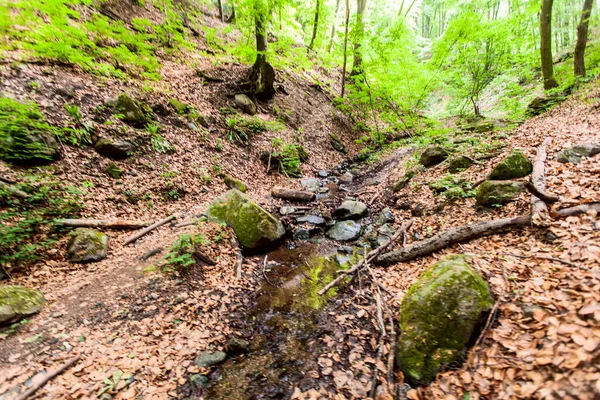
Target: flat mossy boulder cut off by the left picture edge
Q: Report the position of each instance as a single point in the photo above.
(18, 302)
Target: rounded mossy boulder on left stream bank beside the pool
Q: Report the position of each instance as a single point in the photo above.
(254, 226)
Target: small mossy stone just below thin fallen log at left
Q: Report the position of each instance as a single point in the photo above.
(87, 245)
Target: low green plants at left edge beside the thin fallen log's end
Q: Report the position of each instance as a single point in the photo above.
(26, 225)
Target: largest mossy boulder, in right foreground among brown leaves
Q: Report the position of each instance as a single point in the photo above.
(439, 316)
